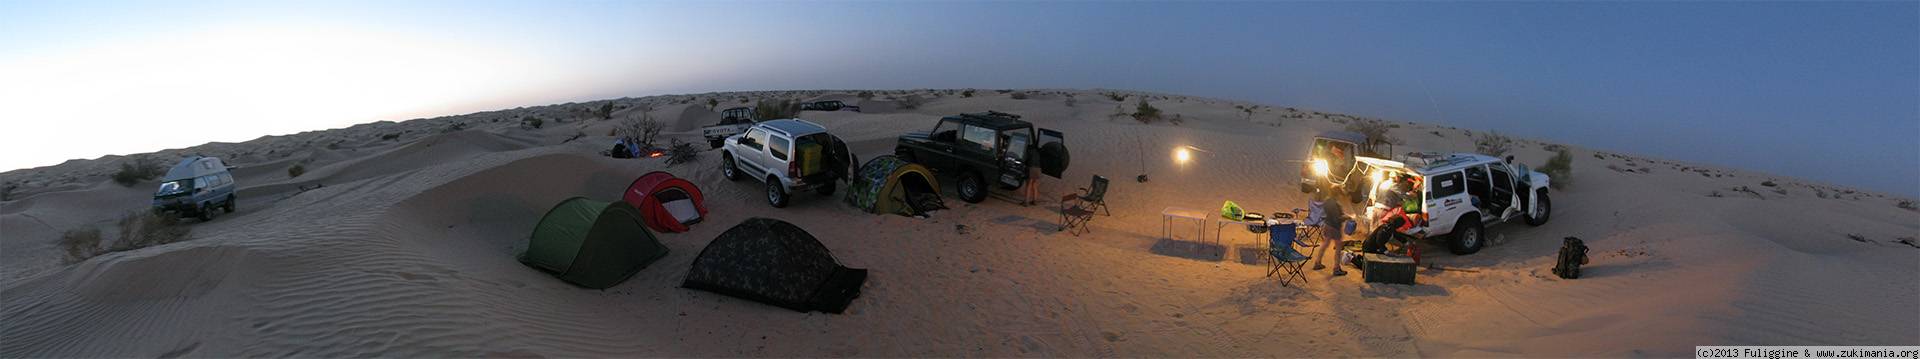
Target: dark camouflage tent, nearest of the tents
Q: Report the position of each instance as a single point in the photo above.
(775, 262)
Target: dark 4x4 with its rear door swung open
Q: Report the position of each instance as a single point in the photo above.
(986, 147)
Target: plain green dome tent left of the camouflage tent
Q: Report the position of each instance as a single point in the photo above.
(592, 245)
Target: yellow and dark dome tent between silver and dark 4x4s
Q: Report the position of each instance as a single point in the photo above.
(892, 185)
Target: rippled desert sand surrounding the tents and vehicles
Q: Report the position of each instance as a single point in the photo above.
(410, 251)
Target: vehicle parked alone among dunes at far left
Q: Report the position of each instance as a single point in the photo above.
(197, 187)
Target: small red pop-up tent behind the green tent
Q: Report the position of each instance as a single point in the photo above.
(667, 203)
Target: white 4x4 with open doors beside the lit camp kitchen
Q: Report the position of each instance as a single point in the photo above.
(1458, 197)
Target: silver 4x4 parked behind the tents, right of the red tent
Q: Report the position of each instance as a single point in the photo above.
(788, 156)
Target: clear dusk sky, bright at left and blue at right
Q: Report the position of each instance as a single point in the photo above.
(1825, 91)
